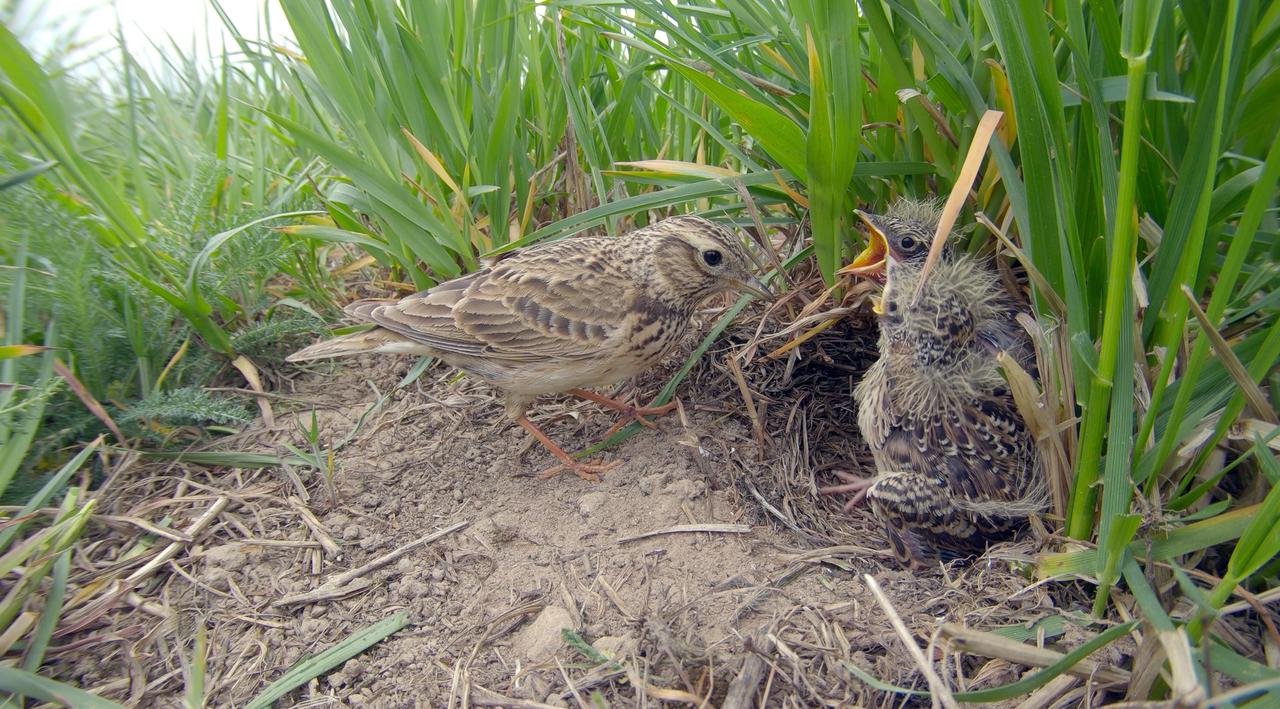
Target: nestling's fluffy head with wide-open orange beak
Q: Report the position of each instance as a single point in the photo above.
(898, 241)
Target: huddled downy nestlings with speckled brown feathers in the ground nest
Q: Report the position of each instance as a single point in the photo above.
(956, 463)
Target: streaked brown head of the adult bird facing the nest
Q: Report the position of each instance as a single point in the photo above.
(694, 258)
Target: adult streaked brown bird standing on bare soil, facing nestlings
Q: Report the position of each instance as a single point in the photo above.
(561, 317)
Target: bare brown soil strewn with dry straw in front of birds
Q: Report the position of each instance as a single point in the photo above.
(541, 580)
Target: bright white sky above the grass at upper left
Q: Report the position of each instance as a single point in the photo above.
(193, 25)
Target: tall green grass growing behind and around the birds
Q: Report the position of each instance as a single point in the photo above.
(1136, 172)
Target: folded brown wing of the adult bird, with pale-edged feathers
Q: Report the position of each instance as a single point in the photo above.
(560, 301)
